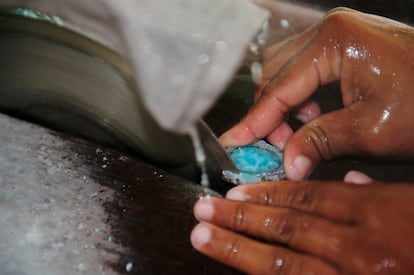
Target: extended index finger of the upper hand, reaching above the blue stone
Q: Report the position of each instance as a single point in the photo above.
(316, 63)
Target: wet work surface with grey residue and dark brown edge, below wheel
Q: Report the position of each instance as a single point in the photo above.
(147, 213)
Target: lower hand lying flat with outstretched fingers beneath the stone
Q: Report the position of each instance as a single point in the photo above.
(310, 228)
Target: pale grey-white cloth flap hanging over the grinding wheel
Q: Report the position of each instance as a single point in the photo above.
(183, 52)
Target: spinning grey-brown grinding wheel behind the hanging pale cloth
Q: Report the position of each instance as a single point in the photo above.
(66, 81)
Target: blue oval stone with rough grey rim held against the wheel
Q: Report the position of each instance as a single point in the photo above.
(256, 162)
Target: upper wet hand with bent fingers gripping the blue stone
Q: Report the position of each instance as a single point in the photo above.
(372, 58)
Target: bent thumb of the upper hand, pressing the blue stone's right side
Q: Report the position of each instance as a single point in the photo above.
(323, 138)
